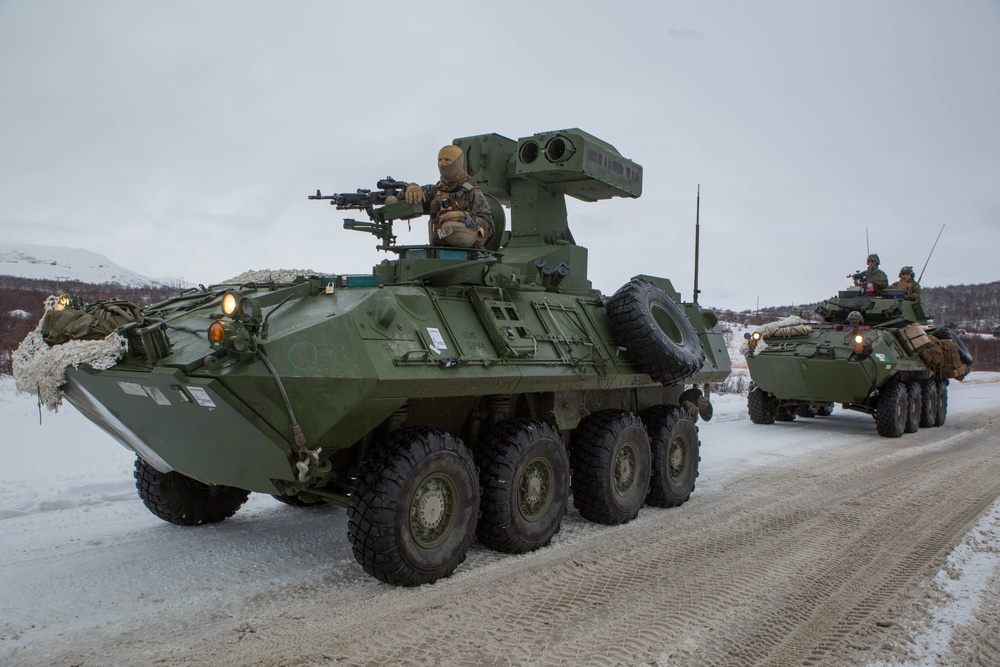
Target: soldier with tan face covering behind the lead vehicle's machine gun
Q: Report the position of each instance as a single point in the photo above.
(460, 215)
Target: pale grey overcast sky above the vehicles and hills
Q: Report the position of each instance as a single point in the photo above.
(181, 138)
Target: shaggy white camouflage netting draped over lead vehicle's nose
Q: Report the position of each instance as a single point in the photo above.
(40, 370)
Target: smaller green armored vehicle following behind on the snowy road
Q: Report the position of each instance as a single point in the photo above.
(874, 354)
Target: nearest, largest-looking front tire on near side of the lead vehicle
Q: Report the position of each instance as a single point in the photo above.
(414, 507)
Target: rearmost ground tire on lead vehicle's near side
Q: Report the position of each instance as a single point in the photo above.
(673, 440)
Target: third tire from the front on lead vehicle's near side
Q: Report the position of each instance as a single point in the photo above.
(610, 460)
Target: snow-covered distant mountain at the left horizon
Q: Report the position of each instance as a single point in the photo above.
(23, 260)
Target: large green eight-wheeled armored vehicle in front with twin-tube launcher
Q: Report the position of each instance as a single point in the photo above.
(451, 392)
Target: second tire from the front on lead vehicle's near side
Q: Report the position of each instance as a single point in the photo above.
(524, 474)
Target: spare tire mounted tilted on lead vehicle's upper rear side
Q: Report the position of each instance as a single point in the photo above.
(658, 337)
